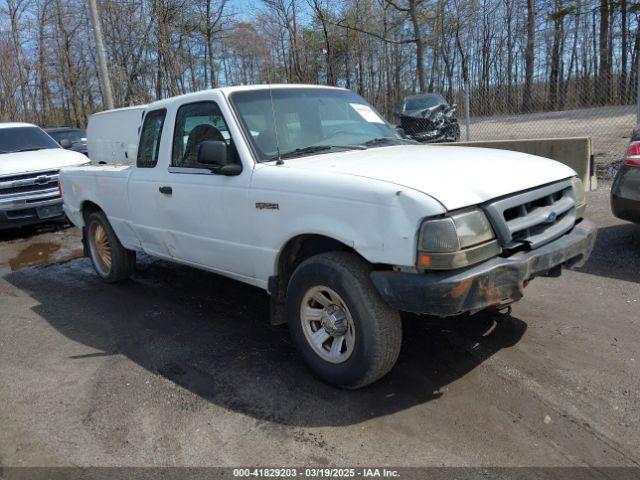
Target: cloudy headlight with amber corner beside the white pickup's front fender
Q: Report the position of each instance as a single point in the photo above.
(456, 241)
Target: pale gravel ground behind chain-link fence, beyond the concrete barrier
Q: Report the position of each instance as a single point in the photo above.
(608, 127)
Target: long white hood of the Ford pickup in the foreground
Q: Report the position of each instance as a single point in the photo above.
(455, 176)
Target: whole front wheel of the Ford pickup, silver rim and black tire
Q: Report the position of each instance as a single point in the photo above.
(346, 334)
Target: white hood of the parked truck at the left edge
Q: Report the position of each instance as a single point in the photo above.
(39, 160)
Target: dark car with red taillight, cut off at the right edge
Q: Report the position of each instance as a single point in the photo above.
(625, 191)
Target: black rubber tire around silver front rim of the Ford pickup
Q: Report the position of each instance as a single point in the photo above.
(377, 327)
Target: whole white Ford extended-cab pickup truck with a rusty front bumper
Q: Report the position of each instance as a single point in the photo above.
(308, 193)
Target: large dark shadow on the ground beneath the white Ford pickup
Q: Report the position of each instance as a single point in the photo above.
(211, 336)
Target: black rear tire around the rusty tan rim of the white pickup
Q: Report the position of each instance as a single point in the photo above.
(122, 260)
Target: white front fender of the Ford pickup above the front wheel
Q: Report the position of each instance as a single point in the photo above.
(379, 220)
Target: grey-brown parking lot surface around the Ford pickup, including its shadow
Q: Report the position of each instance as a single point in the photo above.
(181, 367)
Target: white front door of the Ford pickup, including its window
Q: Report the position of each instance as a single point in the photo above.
(206, 213)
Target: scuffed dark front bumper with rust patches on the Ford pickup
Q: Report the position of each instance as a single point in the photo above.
(498, 281)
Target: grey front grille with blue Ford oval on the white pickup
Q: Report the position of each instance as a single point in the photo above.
(535, 217)
